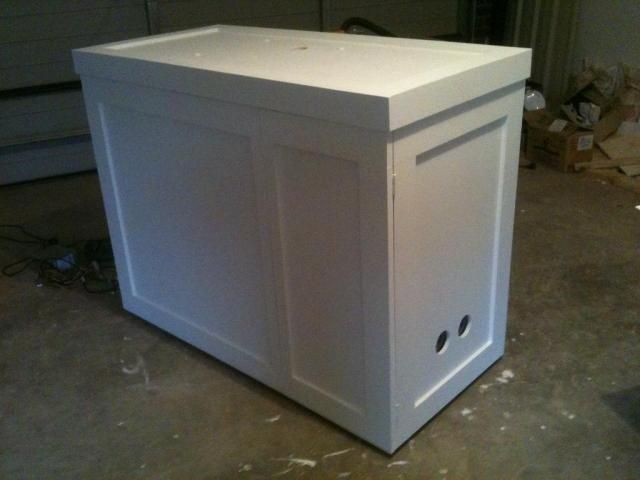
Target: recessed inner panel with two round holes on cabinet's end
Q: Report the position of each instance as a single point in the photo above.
(456, 187)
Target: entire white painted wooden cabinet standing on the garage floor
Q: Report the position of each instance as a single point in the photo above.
(316, 209)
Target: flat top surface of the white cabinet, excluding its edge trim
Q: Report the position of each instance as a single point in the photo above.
(368, 65)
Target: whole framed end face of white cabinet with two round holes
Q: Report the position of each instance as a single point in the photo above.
(455, 182)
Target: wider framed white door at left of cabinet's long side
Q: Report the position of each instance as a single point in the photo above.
(183, 192)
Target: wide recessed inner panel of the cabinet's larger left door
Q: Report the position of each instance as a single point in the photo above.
(187, 203)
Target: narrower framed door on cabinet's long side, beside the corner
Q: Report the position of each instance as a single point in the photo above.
(330, 201)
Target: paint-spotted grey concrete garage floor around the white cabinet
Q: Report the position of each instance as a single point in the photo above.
(572, 410)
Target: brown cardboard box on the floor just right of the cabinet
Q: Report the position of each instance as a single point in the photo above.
(556, 141)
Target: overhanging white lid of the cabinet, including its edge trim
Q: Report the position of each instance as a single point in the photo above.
(314, 77)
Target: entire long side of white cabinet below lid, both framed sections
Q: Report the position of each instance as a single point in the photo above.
(261, 238)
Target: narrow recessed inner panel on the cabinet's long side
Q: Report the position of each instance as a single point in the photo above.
(318, 204)
